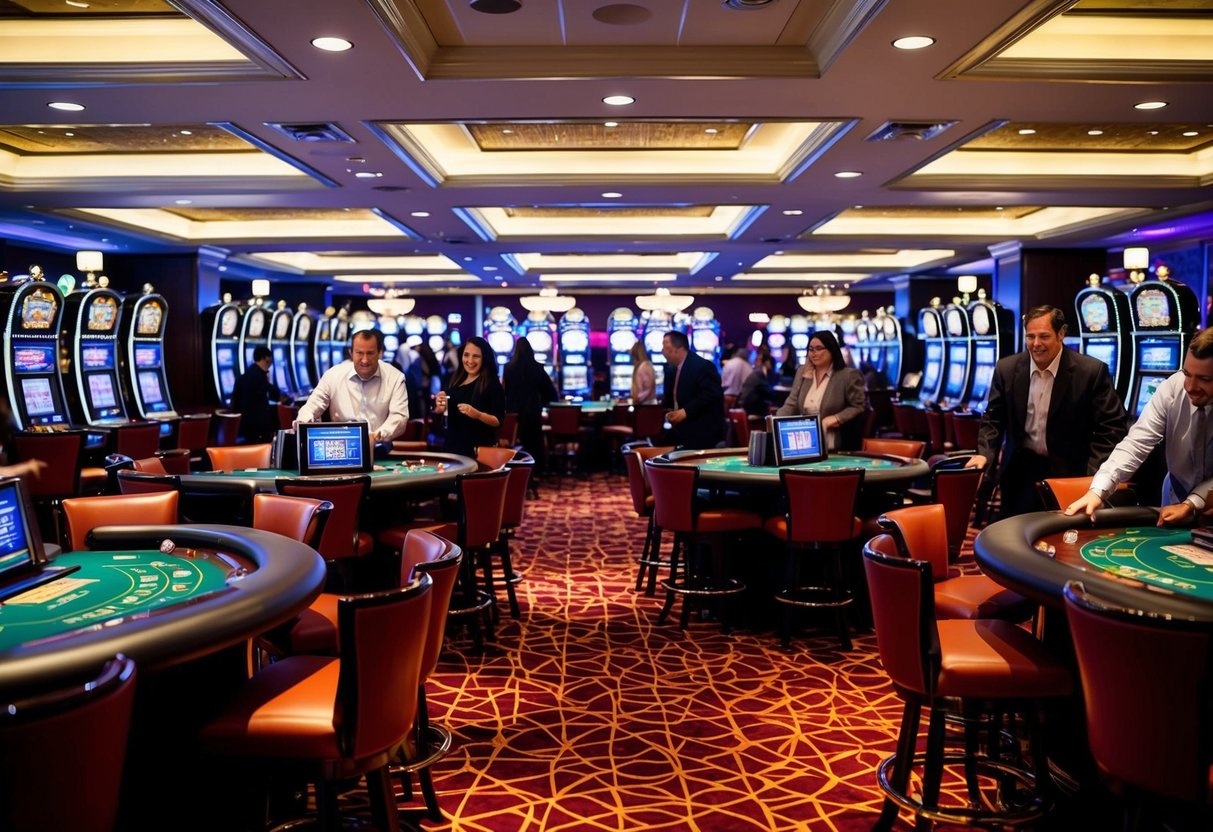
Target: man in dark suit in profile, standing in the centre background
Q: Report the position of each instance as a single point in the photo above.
(692, 395)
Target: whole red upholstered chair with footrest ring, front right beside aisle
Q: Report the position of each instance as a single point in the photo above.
(965, 668)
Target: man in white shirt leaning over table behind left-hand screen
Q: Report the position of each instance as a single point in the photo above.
(362, 390)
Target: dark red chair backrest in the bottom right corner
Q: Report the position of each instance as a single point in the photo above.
(1148, 688)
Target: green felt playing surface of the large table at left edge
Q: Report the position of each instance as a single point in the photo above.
(109, 585)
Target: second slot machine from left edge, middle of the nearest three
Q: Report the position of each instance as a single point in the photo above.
(90, 337)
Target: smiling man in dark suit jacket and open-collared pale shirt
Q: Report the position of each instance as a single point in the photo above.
(1056, 409)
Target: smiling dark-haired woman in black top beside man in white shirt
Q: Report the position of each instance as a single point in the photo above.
(475, 404)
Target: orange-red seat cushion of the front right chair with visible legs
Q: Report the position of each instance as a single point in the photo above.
(993, 659)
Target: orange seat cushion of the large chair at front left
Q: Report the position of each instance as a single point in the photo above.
(284, 711)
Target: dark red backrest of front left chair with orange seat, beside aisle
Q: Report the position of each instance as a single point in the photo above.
(383, 639)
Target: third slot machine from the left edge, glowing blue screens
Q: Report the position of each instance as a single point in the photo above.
(141, 366)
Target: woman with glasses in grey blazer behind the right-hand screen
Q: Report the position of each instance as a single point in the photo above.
(827, 387)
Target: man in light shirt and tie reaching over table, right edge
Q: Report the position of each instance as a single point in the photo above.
(1178, 415)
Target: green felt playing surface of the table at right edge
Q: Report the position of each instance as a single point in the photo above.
(1160, 557)
